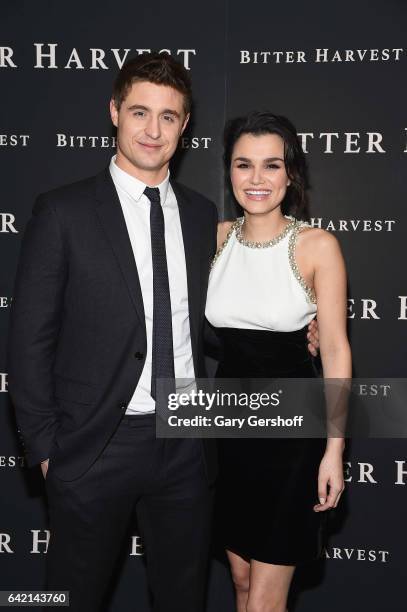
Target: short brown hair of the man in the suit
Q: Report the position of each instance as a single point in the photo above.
(158, 68)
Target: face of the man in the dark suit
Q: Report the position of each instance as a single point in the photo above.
(149, 124)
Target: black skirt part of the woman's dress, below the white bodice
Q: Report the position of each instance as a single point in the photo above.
(267, 487)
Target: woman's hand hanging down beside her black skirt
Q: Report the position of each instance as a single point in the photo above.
(330, 480)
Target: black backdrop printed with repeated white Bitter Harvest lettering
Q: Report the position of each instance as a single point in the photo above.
(337, 70)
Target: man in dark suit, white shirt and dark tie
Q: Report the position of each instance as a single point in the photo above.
(109, 297)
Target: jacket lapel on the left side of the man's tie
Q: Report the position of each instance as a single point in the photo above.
(111, 217)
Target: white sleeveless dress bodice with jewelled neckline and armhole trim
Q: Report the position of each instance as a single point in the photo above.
(255, 287)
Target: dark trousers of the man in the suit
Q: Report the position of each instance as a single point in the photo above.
(165, 481)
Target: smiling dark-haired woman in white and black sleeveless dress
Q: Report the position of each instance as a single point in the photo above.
(271, 275)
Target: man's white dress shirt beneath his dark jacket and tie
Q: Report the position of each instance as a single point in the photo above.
(136, 210)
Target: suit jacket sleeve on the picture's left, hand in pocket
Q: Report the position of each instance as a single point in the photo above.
(36, 315)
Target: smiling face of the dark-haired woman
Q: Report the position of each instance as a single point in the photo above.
(258, 175)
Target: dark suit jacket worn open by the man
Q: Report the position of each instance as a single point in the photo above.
(77, 341)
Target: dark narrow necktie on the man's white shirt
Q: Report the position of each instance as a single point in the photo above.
(162, 346)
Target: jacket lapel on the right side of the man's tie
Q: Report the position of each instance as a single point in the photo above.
(190, 235)
